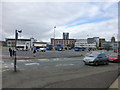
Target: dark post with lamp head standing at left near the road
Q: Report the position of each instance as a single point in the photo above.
(16, 38)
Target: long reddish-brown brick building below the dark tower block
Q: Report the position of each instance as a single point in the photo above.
(64, 42)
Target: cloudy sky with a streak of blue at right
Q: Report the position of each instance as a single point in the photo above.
(80, 19)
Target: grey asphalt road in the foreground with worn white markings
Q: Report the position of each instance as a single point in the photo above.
(57, 73)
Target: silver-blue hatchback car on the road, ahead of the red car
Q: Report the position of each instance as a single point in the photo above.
(96, 58)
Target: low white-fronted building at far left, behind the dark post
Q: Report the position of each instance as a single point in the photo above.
(20, 42)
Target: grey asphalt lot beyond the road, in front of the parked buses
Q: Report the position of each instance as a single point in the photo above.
(47, 54)
